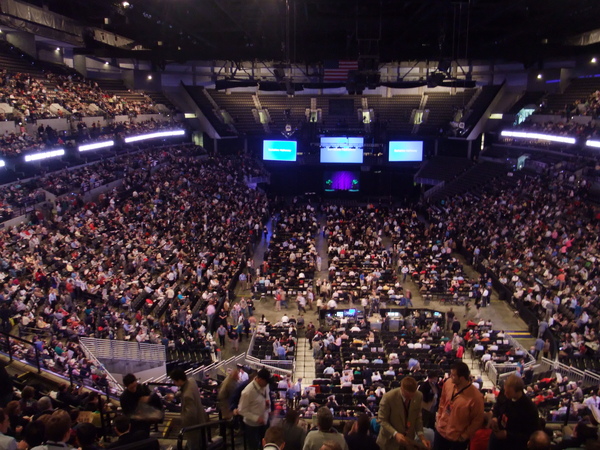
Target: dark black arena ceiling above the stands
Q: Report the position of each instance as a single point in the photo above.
(517, 30)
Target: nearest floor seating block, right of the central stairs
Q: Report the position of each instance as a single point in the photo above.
(350, 378)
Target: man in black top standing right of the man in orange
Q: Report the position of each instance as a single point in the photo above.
(515, 417)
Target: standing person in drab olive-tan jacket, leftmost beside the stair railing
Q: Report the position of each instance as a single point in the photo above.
(192, 410)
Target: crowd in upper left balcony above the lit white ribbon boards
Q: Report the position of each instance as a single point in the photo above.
(66, 96)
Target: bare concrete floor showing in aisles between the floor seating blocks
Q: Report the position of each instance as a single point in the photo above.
(499, 312)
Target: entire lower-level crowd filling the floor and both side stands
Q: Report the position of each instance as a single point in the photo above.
(104, 269)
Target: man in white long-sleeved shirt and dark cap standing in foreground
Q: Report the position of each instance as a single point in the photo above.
(254, 407)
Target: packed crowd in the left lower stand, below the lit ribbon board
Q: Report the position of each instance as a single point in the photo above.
(162, 283)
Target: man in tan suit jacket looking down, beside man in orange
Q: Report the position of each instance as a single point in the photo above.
(400, 418)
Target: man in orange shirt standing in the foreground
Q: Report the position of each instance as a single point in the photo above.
(460, 412)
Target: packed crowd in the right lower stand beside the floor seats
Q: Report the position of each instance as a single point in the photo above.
(540, 238)
